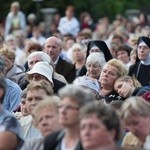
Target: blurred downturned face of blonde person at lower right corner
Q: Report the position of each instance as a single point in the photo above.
(139, 126)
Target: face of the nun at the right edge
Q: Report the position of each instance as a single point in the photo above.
(143, 52)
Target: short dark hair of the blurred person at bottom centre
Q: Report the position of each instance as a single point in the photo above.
(104, 113)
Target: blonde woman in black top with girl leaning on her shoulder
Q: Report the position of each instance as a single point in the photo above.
(112, 70)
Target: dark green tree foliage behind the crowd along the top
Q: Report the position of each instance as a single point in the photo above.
(97, 8)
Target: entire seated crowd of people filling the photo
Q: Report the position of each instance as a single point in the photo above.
(80, 86)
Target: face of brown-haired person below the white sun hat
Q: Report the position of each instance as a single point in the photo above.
(33, 98)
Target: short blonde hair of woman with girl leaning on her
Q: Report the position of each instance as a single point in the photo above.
(122, 70)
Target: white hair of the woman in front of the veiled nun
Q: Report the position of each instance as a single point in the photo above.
(96, 58)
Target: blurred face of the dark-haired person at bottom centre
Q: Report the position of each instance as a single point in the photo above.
(94, 133)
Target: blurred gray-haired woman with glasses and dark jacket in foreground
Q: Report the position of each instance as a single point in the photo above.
(72, 99)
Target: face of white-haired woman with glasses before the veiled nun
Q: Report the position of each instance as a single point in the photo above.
(93, 70)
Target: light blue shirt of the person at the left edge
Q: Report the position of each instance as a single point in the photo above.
(12, 97)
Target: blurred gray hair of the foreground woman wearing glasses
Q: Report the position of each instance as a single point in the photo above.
(79, 94)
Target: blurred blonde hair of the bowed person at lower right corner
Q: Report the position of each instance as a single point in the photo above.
(134, 106)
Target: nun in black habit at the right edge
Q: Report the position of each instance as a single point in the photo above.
(141, 69)
